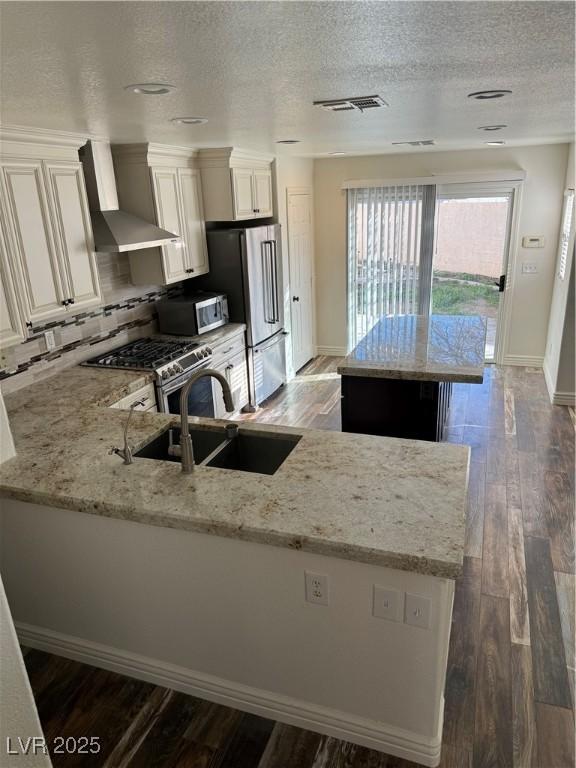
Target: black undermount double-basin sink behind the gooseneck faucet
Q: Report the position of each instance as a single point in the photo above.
(244, 451)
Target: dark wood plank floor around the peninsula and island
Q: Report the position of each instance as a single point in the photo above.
(510, 686)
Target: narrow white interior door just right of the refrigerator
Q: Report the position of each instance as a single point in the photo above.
(301, 276)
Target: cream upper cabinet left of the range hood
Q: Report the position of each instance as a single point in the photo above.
(47, 242)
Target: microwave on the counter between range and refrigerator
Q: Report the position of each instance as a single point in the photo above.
(192, 314)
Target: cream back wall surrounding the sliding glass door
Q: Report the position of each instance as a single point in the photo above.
(545, 168)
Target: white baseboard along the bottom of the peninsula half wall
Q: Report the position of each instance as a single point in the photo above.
(368, 733)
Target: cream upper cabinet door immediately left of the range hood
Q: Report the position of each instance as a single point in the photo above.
(73, 232)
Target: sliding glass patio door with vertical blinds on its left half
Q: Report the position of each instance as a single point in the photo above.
(417, 249)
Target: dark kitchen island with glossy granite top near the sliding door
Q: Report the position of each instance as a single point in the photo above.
(398, 380)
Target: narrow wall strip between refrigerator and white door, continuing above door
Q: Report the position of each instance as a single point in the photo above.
(290, 173)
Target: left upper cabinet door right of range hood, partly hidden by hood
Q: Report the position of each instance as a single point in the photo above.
(167, 199)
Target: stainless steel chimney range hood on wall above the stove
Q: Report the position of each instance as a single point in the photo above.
(114, 231)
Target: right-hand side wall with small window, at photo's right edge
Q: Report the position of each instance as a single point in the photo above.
(559, 359)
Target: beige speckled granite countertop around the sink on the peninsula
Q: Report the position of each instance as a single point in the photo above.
(389, 502)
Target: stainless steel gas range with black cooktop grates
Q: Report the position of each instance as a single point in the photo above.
(172, 363)
